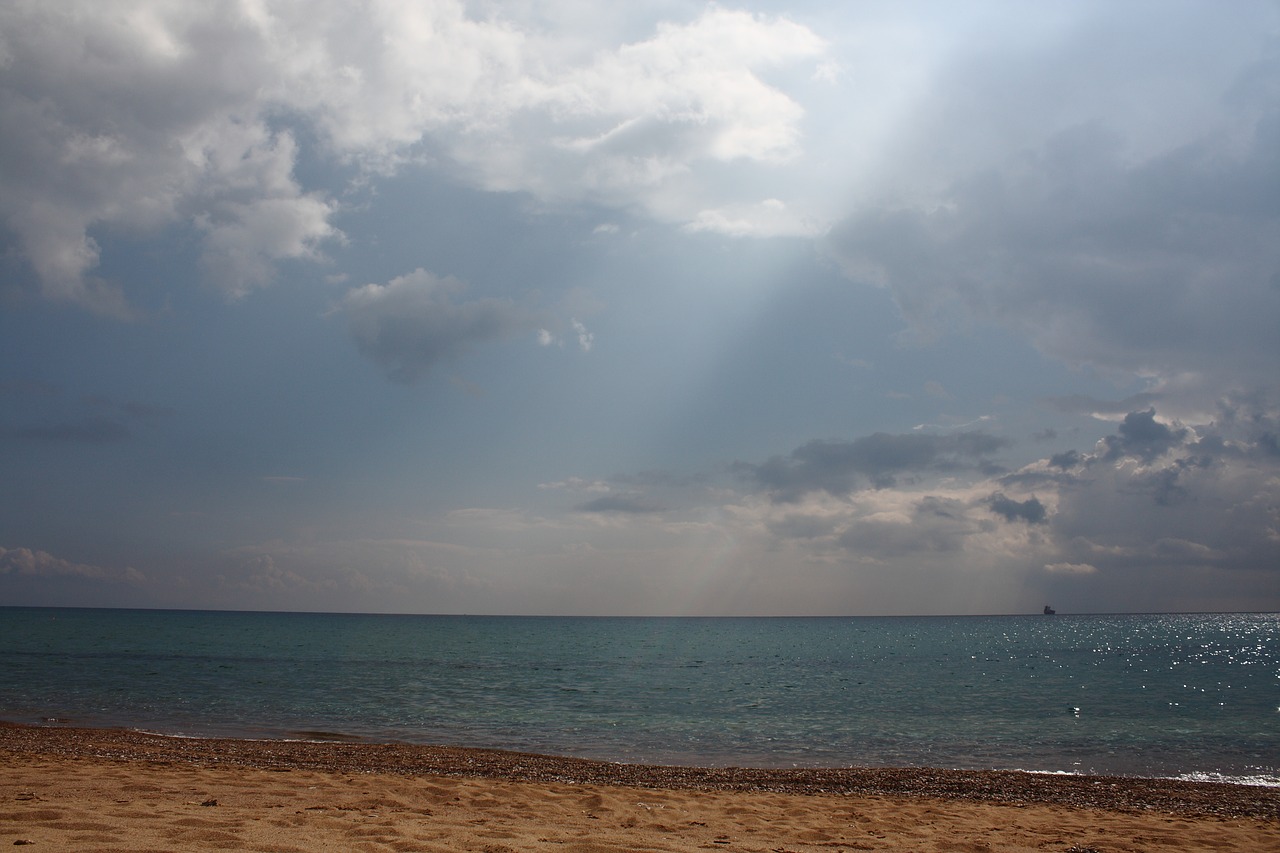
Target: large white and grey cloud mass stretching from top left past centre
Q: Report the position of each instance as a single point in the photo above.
(125, 118)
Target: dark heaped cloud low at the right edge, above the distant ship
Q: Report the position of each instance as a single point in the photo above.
(1154, 500)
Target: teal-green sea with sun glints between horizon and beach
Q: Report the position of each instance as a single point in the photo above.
(1159, 696)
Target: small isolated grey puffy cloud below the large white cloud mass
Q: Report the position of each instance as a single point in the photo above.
(413, 323)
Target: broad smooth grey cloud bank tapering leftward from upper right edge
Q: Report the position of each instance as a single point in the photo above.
(1164, 267)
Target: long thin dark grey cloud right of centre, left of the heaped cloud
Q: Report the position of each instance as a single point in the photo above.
(840, 467)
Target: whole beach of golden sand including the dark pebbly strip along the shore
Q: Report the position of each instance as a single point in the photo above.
(85, 790)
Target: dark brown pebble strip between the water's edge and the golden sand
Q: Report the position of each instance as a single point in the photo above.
(1116, 793)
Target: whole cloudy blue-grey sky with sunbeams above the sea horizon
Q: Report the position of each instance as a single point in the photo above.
(661, 308)
